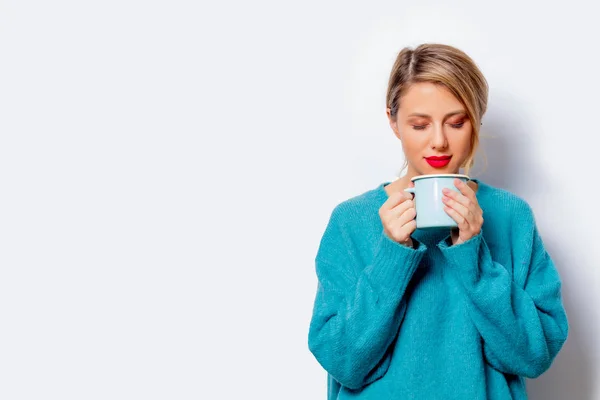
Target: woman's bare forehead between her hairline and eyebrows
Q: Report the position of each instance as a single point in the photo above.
(429, 98)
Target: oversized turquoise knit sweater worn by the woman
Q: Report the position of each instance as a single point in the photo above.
(436, 321)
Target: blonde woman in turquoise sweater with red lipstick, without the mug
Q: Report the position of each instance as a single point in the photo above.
(403, 313)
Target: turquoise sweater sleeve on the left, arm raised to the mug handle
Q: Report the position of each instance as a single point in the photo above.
(358, 309)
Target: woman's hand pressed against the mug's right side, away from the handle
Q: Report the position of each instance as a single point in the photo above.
(464, 208)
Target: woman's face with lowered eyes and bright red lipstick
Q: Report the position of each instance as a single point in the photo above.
(434, 129)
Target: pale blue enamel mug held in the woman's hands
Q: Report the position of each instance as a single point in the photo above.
(428, 199)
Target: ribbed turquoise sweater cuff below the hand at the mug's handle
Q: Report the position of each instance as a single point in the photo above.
(394, 264)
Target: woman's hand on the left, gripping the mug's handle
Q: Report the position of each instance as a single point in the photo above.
(398, 217)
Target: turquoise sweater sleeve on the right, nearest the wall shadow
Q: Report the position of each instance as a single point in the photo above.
(523, 327)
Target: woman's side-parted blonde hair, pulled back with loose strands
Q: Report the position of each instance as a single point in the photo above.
(450, 67)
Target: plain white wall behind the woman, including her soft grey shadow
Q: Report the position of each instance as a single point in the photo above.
(167, 169)
